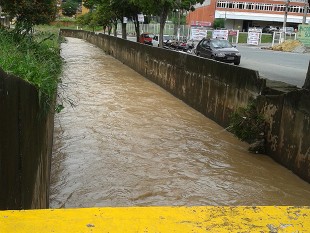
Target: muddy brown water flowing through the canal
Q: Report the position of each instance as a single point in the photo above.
(127, 142)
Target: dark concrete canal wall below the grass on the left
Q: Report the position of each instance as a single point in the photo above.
(26, 135)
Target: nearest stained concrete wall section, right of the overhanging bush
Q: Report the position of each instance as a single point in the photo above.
(288, 129)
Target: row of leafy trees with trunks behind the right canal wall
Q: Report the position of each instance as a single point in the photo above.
(112, 11)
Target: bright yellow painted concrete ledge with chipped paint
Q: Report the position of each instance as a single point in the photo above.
(159, 219)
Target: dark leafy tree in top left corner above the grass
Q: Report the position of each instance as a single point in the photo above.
(29, 13)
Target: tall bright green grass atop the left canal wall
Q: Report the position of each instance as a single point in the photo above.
(34, 58)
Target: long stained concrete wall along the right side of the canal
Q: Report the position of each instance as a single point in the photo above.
(218, 89)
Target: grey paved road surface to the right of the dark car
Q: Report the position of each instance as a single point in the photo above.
(276, 65)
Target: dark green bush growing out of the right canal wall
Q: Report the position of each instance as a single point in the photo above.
(247, 124)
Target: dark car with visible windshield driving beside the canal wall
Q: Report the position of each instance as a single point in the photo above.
(218, 49)
